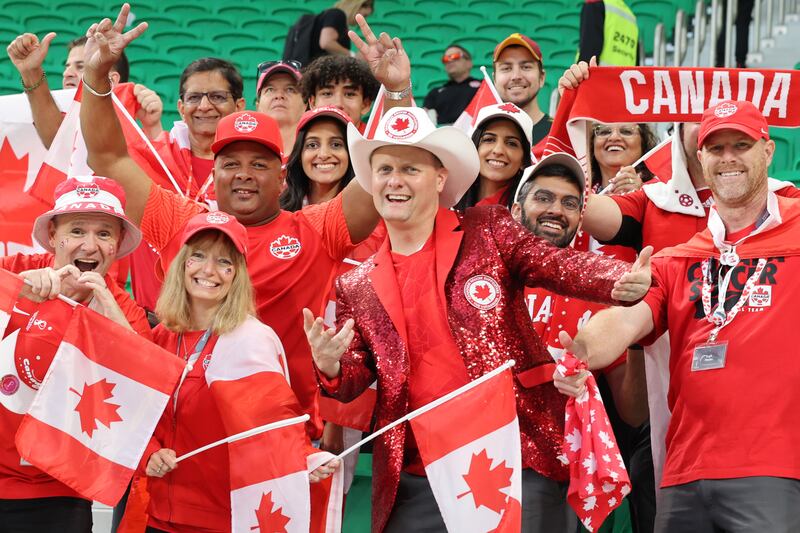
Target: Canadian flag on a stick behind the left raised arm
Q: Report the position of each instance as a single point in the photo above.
(67, 154)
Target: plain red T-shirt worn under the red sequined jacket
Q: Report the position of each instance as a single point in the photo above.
(436, 366)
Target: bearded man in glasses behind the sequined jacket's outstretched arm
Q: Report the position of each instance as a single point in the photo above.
(548, 203)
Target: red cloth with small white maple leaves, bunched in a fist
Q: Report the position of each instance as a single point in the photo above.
(598, 480)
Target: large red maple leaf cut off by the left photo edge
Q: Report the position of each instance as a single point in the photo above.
(18, 209)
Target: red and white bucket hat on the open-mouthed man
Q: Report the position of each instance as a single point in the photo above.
(89, 194)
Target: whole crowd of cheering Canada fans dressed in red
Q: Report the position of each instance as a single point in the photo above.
(271, 209)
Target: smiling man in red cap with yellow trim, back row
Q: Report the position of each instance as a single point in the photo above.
(519, 76)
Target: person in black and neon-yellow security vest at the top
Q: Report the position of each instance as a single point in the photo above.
(608, 32)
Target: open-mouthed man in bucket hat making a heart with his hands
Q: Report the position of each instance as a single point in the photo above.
(84, 233)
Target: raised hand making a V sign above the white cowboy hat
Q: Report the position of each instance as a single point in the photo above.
(385, 56)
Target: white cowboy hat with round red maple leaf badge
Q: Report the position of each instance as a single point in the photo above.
(411, 126)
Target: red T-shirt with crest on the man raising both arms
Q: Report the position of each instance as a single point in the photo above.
(291, 260)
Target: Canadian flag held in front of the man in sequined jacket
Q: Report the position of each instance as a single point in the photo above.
(470, 446)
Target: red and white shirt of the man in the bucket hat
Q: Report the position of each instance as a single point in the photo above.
(41, 327)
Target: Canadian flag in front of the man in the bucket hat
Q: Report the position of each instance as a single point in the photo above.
(97, 406)
